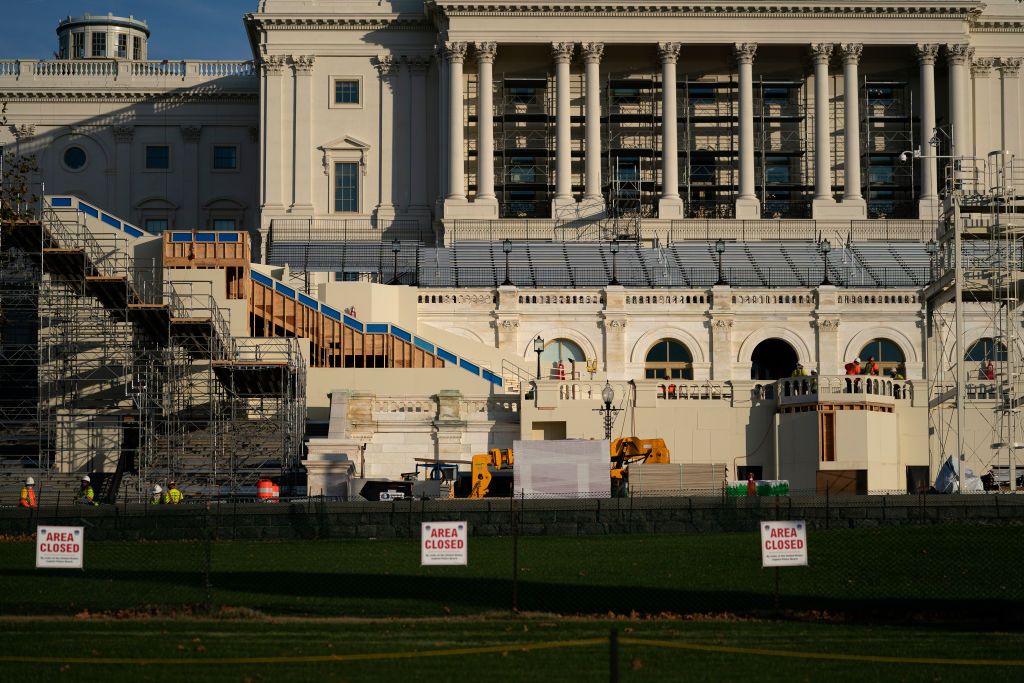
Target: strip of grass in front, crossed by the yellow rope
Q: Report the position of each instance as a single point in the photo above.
(185, 650)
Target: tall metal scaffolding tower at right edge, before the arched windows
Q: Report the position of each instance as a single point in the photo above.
(974, 407)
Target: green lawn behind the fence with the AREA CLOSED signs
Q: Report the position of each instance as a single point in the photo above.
(947, 570)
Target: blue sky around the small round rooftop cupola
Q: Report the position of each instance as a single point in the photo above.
(181, 29)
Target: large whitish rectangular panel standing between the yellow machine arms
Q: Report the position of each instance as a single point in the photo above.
(571, 468)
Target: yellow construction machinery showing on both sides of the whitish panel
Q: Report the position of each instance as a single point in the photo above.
(497, 463)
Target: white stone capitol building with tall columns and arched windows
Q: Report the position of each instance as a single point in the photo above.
(681, 200)
